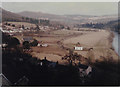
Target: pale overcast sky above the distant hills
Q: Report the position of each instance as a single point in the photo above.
(61, 8)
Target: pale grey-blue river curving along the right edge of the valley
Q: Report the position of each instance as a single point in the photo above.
(116, 42)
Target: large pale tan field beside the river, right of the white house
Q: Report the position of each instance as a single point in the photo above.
(100, 41)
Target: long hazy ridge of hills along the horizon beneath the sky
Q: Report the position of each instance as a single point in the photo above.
(63, 19)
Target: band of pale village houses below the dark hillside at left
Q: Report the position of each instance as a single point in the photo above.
(13, 28)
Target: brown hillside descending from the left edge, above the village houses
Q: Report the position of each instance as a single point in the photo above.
(14, 17)
